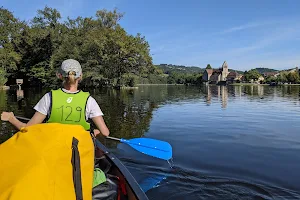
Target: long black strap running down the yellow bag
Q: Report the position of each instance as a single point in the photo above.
(76, 169)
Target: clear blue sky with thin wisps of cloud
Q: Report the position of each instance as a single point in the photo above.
(245, 33)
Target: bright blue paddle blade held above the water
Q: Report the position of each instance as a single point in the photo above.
(156, 148)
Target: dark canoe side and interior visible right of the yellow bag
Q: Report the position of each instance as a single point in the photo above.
(127, 186)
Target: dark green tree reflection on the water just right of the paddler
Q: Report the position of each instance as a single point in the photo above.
(125, 115)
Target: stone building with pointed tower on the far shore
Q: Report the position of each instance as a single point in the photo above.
(221, 75)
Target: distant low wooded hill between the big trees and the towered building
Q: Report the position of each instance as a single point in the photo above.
(168, 68)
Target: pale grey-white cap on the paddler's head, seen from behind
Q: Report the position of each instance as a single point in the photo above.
(70, 65)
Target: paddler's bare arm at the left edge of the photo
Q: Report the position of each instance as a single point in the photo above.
(10, 117)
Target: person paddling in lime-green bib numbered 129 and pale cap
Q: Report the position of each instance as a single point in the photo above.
(66, 105)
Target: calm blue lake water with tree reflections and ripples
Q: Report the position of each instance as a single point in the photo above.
(237, 142)
